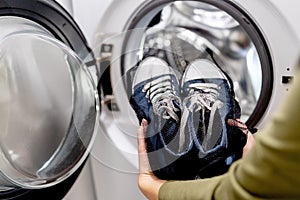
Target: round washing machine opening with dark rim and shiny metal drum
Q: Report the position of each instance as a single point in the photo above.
(180, 32)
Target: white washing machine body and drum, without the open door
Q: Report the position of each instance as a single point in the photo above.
(262, 55)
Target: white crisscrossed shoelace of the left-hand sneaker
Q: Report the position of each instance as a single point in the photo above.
(161, 93)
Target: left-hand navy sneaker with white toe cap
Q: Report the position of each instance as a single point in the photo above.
(156, 98)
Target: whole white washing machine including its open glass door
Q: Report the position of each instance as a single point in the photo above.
(49, 106)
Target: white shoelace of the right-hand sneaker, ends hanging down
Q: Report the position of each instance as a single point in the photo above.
(201, 96)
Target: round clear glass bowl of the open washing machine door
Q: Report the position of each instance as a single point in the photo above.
(48, 107)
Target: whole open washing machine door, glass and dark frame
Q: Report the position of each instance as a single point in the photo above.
(48, 100)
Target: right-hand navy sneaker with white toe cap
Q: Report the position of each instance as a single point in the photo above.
(208, 102)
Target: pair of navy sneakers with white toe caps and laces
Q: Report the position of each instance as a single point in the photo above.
(187, 135)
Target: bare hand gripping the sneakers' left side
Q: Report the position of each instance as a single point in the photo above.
(148, 183)
